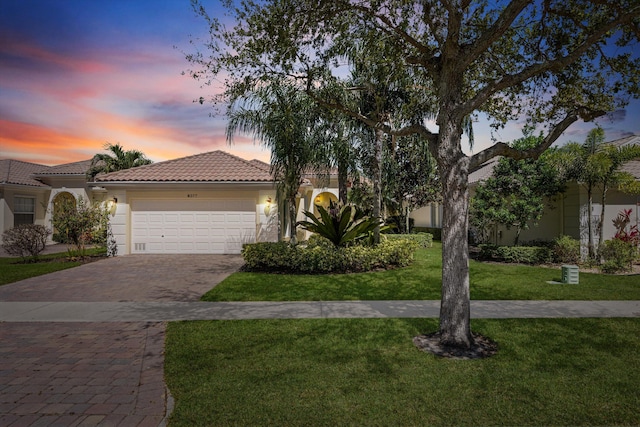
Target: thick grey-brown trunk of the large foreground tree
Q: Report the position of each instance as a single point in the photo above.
(455, 313)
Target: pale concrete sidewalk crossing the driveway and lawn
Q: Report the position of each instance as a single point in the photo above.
(174, 311)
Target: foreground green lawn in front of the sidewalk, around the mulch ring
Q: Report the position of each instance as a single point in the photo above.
(367, 372)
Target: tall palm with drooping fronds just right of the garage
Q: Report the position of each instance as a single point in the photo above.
(283, 119)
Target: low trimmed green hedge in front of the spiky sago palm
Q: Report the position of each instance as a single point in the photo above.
(319, 255)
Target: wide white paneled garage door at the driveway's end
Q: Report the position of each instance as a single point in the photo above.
(192, 227)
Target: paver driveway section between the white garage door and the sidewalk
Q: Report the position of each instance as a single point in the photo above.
(128, 278)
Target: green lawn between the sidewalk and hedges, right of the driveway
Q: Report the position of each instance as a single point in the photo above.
(422, 281)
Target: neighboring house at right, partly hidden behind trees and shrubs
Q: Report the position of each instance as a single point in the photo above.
(568, 212)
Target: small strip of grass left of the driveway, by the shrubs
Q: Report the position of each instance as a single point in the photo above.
(12, 270)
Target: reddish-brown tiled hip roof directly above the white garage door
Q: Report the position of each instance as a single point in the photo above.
(215, 166)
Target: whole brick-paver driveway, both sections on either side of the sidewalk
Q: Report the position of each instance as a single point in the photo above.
(97, 373)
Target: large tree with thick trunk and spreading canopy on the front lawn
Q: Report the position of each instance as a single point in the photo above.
(553, 62)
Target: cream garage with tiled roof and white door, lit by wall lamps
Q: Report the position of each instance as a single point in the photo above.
(209, 203)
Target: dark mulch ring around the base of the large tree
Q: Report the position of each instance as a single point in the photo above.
(482, 348)
